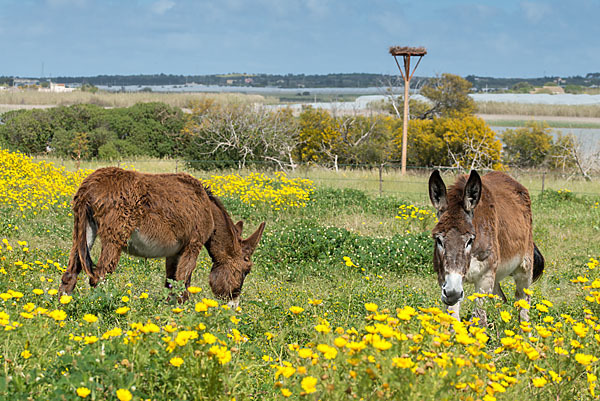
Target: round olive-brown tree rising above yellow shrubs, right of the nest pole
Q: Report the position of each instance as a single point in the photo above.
(449, 95)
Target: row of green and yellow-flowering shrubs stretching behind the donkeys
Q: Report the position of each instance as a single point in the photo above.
(238, 135)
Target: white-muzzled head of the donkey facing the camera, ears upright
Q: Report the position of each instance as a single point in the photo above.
(454, 234)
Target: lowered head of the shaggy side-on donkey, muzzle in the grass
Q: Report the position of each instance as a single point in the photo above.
(227, 278)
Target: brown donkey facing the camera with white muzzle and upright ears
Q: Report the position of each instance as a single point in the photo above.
(483, 235)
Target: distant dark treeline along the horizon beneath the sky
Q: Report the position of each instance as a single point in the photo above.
(350, 80)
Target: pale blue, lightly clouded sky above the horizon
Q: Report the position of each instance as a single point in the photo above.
(507, 38)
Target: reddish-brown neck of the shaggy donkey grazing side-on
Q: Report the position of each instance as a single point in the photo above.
(223, 244)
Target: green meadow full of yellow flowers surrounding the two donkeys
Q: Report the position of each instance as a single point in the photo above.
(344, 311)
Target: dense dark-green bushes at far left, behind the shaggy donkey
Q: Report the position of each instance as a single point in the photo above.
(145, 129)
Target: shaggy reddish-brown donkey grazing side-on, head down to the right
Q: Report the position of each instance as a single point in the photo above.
(157, 216)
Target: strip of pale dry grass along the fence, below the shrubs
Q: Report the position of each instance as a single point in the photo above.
(378, 179)
